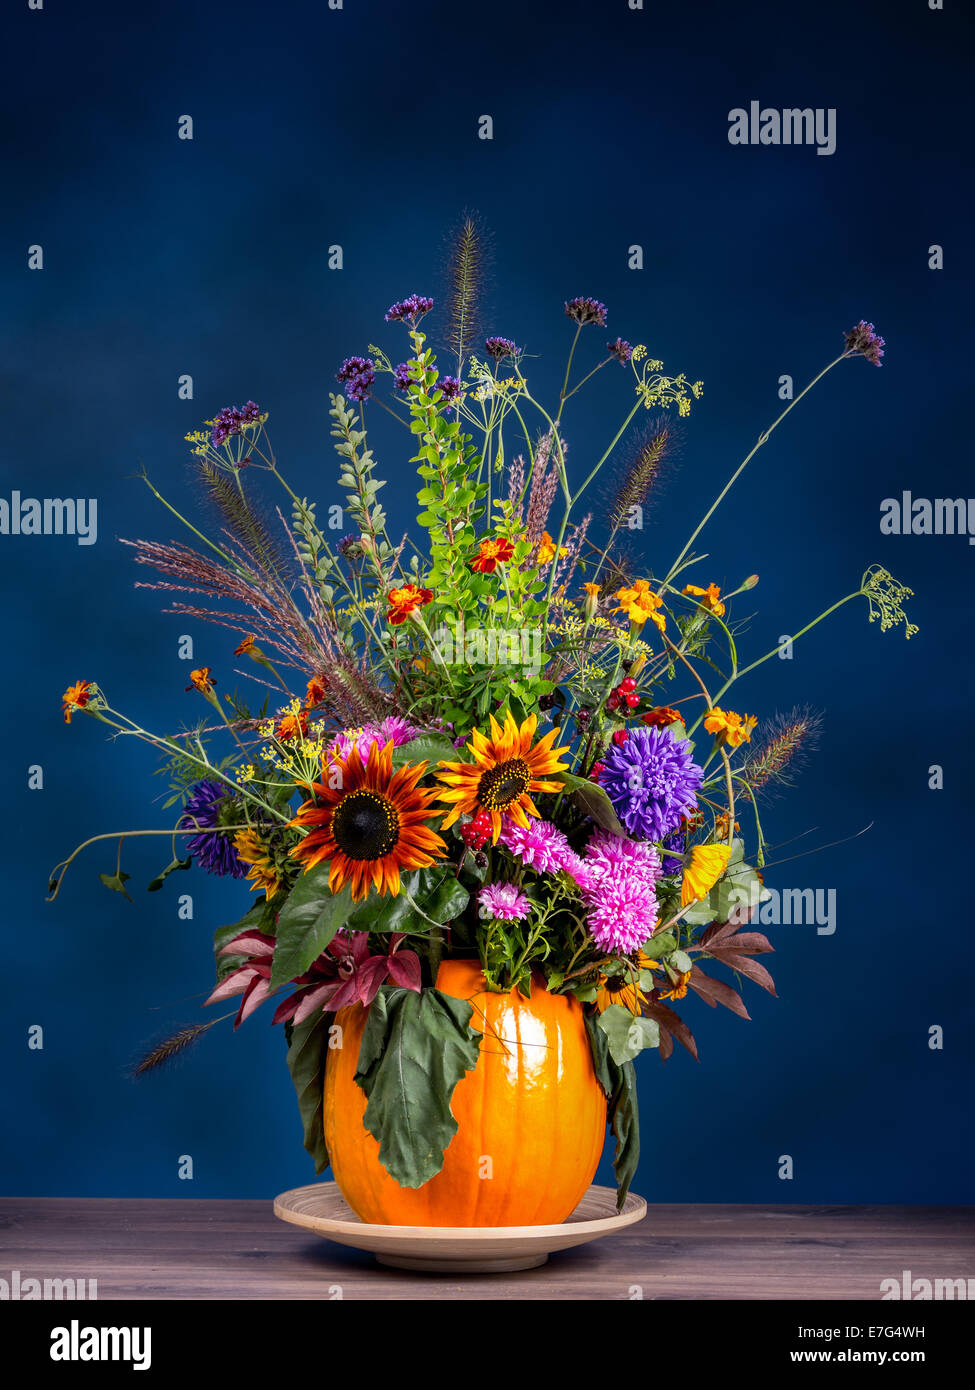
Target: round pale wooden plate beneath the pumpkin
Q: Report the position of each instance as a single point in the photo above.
(457, 1250)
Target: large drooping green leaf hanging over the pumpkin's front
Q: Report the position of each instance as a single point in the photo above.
(414, 1052)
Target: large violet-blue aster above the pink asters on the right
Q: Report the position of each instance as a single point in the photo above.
(652, 780)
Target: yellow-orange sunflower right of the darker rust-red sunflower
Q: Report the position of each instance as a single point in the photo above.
(507, 769)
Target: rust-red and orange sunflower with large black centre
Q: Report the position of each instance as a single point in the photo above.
(371, 826)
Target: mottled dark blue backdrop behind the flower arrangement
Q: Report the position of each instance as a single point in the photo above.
(360, 127)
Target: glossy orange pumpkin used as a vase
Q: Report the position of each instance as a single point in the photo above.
(532, 1117)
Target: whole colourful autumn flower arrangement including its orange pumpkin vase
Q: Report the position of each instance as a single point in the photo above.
(489, 800)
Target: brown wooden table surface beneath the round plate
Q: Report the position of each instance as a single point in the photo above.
(241, 1250)
